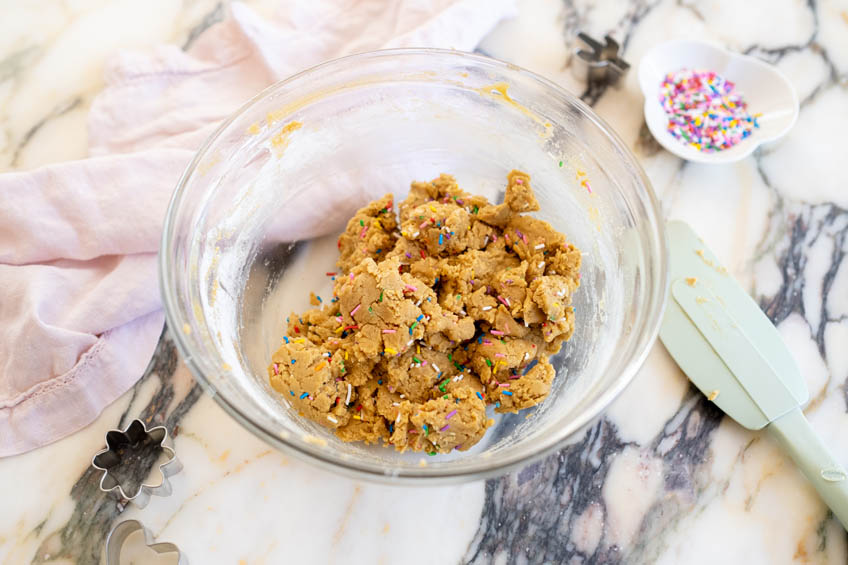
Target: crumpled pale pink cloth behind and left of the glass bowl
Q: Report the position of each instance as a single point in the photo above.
(80, 312)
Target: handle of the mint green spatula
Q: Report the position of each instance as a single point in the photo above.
(812, 456)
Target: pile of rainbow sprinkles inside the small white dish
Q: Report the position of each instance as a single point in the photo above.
(705, 111)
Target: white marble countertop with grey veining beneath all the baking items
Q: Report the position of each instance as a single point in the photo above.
(661, 478)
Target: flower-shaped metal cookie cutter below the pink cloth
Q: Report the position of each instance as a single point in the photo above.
(130, 449)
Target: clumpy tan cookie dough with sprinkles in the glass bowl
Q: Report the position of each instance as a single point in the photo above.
(452, 305)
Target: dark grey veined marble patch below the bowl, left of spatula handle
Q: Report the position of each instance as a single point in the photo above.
(546, 512)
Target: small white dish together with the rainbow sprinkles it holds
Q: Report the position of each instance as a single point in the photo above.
(709, 105)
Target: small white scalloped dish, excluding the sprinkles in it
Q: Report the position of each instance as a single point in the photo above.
(766, 90)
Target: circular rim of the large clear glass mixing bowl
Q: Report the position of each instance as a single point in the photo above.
(484, 467)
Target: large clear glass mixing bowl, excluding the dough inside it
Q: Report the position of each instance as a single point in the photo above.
(252, 227)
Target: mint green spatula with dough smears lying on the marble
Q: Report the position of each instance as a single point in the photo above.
(734, 355)
